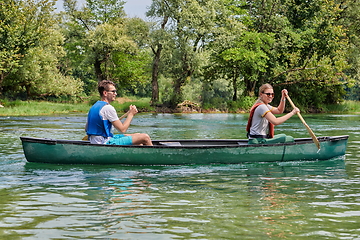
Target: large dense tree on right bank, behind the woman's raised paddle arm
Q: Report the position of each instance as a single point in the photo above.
(309, 53)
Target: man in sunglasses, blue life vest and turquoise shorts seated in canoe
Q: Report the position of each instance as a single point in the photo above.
(102, 117)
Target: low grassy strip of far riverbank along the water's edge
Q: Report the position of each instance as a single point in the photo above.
(34, 108)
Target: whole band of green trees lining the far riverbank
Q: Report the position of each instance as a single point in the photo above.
(213, 52)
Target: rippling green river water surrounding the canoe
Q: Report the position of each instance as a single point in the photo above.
(287, 200)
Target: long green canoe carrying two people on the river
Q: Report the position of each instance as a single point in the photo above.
(177, 152)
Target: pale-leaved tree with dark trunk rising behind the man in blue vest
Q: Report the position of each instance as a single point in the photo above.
(92, 24)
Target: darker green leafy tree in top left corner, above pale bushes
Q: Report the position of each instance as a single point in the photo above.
(22, 26)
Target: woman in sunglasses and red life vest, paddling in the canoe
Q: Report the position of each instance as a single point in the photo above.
(260, 127)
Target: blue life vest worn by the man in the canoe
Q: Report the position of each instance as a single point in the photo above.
(96, 125)
